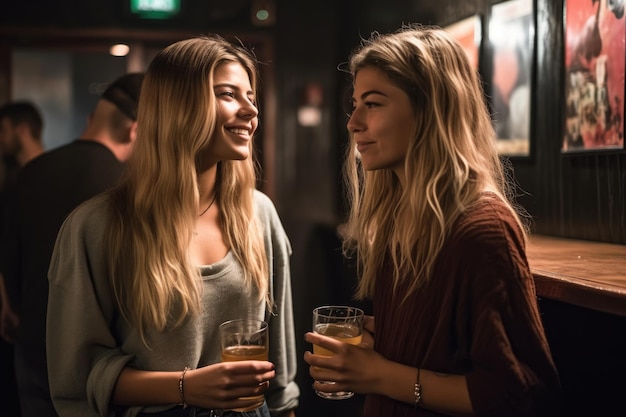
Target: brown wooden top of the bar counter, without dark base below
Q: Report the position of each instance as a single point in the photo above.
(582, 273)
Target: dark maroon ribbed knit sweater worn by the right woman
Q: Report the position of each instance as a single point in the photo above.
(477, 316)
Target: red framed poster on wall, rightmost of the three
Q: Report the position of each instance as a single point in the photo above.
(594, 75)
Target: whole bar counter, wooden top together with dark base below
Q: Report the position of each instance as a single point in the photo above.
(581, 293)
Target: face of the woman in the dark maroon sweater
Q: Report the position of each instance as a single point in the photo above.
(382, 122)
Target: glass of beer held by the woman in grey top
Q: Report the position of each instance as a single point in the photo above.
(245, 340)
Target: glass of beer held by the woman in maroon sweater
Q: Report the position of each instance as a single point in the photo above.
(342, 323)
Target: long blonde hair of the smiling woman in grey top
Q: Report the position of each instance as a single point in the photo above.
(155, 207)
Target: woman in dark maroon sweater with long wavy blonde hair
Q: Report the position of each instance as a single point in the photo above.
(439, 243)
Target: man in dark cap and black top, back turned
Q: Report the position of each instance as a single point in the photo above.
(49, 188)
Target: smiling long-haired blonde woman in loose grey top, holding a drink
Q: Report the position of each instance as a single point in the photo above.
(142, 276)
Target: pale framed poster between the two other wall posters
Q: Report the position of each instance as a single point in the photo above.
(511, 38)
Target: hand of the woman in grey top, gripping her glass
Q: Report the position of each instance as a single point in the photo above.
(222, 385)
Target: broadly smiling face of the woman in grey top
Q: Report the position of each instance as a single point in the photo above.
(237, 115)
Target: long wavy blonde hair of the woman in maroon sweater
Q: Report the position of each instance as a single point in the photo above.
(451, 159)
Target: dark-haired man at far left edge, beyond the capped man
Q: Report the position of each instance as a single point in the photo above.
(21, 128)
